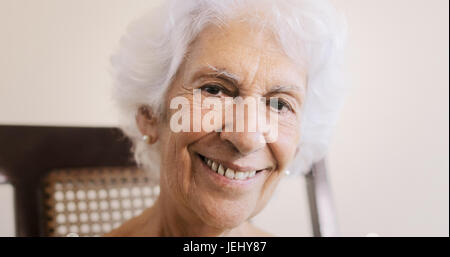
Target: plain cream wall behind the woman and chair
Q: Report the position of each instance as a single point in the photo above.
(389, 164)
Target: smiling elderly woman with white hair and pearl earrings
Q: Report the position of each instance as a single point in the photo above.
(213, 181)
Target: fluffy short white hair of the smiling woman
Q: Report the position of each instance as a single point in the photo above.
(310, 32)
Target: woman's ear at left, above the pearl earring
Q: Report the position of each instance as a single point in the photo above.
(147, 122)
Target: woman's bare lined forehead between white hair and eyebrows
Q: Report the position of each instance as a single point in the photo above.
(248, 53)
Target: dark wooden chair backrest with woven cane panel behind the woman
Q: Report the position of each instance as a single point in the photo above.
(85, 181)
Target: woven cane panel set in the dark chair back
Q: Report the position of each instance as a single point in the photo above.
(93, 201)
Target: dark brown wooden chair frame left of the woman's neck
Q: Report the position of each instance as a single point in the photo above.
(28, 153)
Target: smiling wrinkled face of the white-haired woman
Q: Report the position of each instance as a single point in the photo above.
(236, 60)
